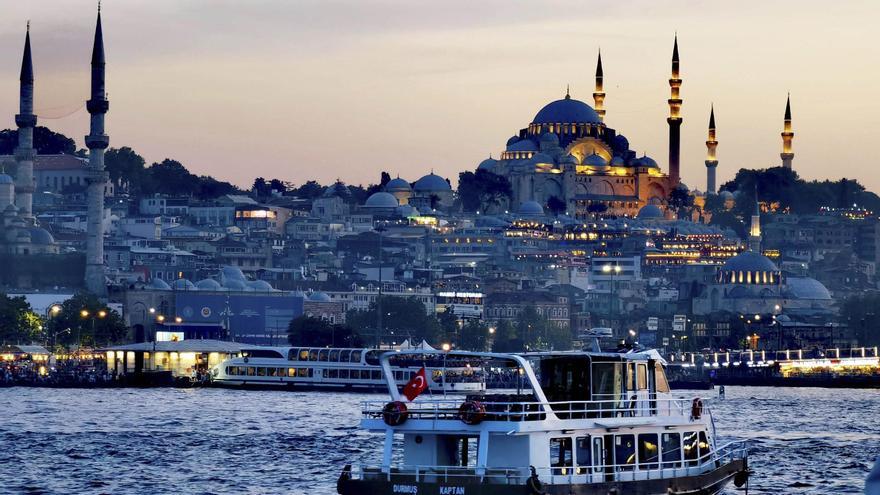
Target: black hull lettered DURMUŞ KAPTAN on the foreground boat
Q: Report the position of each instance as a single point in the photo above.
(709, 483)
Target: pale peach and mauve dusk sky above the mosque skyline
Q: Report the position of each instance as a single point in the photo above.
(321, 89)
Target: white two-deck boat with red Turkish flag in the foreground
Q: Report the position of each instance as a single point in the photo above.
(584, 423)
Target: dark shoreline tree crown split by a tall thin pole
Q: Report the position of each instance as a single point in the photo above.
(402, 318)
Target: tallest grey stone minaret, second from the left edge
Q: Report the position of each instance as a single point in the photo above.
(97, 142)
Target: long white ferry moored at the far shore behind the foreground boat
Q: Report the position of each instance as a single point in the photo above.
(351, 368)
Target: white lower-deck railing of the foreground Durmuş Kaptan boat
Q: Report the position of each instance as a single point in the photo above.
(569, 474)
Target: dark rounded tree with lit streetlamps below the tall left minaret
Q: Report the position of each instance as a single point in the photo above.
(84, 321)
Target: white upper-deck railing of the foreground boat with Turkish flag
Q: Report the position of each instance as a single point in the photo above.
(525, 410)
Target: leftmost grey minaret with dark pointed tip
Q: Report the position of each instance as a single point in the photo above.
(26, 121)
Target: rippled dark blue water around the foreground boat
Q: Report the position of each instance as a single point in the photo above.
(194, 441)
